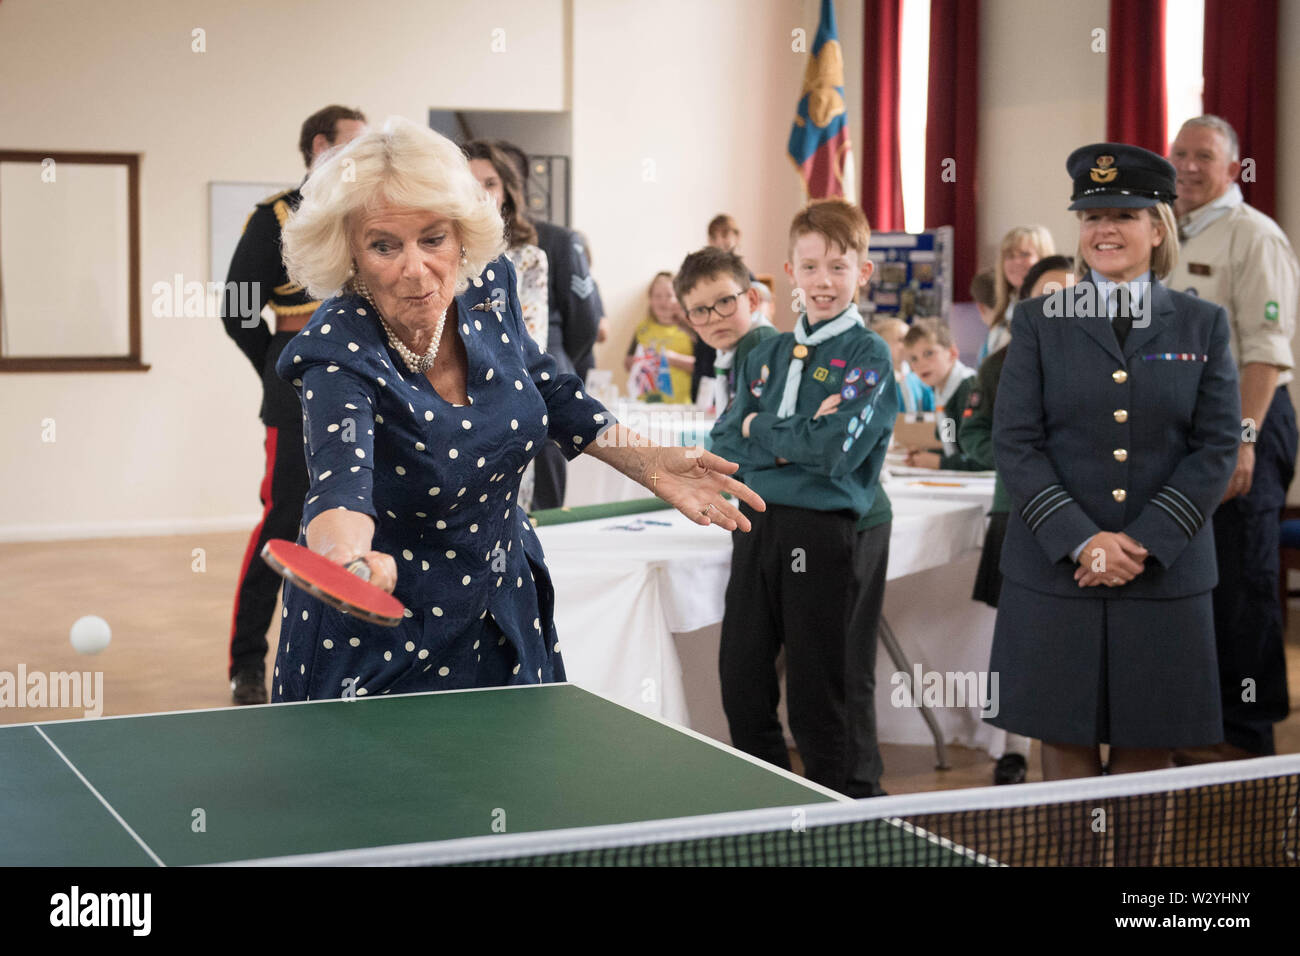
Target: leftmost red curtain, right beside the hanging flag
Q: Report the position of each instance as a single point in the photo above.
(882, 181)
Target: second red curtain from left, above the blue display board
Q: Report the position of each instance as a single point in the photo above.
(952, 131)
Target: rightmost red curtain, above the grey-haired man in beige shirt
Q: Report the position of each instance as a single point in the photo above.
(1242, 86)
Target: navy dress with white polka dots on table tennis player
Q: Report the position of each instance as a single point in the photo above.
(441, 483)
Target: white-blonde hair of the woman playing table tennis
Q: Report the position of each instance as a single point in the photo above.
(405, 165)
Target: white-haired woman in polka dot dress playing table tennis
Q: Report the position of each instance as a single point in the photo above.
(424, 399)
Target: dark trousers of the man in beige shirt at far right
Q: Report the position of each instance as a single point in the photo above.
(1247, 611)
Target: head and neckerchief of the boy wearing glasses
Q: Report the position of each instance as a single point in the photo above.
(714, 288)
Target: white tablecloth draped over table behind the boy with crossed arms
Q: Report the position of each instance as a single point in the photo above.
(634, 605)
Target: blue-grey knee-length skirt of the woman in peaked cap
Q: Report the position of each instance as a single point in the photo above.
(1107, 671)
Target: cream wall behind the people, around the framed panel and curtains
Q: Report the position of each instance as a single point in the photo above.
(704, 90)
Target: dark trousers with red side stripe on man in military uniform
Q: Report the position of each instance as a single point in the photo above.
(284, 488)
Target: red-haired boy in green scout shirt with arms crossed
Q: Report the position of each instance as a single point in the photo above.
(809, 426)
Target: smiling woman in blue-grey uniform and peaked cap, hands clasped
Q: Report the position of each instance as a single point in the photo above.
(1116, 434)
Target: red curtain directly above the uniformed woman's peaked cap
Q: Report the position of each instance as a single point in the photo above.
(1136, 75)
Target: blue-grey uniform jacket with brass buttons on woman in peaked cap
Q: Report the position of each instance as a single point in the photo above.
(1090, 438)
